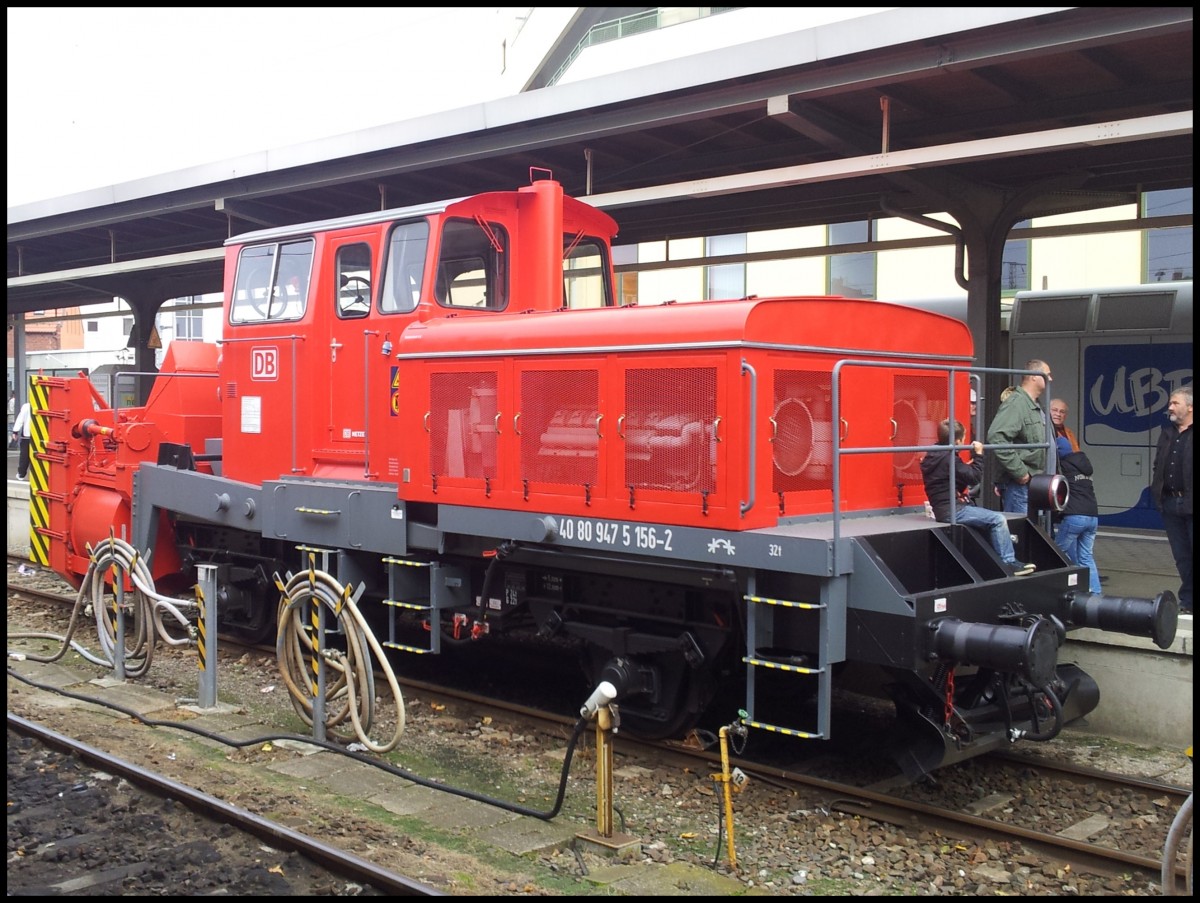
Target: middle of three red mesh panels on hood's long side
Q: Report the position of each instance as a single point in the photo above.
(560, 427)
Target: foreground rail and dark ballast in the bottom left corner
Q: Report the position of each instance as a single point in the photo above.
(59, 804)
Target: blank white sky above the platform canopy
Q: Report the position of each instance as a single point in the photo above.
(99, 97)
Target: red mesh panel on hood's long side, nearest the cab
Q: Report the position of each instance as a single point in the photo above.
(463, 424)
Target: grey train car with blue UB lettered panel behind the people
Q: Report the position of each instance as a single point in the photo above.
(1118, 355)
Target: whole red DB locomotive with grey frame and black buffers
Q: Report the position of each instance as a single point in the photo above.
(449, 404)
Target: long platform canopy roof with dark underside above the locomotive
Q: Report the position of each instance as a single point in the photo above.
(1059, 109)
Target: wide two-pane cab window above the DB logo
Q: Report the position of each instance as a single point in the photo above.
(273, 283)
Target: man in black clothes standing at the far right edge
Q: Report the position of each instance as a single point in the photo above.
(1172, 487)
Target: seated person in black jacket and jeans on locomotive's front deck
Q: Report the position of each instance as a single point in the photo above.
(937, 469)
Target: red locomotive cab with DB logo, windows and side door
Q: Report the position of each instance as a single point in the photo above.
(313, 307)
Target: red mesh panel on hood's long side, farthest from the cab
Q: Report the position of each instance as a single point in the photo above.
(669, 429)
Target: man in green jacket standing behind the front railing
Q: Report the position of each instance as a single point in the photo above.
(1021, 421)
